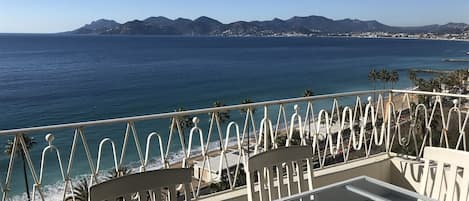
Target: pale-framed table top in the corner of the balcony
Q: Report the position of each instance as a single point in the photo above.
(358, 189)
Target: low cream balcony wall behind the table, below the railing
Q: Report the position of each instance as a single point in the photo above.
(399, 170)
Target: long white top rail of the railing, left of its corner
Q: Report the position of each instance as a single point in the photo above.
(183, 113)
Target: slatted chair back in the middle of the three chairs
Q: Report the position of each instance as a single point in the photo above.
(267, 168)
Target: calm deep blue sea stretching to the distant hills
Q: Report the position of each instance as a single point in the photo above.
(54, 79)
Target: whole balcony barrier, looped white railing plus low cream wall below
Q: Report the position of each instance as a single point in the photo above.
(380, 134)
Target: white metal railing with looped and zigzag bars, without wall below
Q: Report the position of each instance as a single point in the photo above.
(358, 130)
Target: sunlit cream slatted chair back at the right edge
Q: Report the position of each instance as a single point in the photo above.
(444, 171)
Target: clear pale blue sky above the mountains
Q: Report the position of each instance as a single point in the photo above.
(46, 16)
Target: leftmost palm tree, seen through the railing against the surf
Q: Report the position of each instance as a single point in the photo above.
(29, 144)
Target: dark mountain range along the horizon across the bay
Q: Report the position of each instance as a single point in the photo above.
(206, 26)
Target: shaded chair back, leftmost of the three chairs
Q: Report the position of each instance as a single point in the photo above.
(157, 184)
